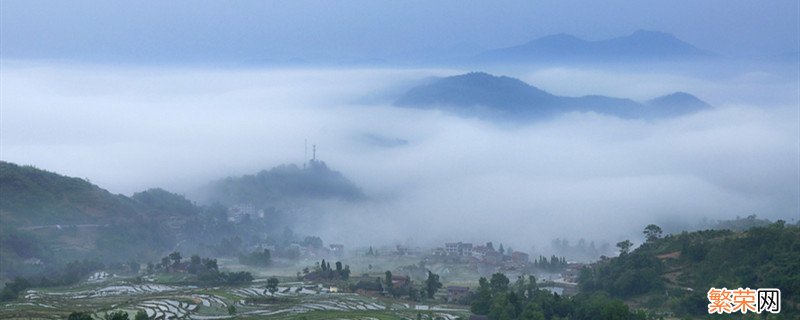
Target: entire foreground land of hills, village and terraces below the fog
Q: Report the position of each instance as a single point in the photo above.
(239, 257)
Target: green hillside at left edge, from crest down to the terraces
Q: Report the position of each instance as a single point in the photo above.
(48, 219)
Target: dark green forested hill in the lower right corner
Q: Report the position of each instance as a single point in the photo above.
(674, 273)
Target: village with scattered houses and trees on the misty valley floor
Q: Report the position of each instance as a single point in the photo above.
(457, 264)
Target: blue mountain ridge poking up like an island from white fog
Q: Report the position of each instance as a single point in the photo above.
(491, 97)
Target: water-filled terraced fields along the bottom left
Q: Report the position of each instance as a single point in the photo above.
(291, 301)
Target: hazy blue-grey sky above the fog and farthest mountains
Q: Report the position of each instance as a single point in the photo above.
(247, 31)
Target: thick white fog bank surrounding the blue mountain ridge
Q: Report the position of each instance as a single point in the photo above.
(579, 175)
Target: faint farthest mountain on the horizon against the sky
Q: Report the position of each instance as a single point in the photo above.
(641, 45)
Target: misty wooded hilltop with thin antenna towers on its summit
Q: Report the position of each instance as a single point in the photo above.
(282, 184)
